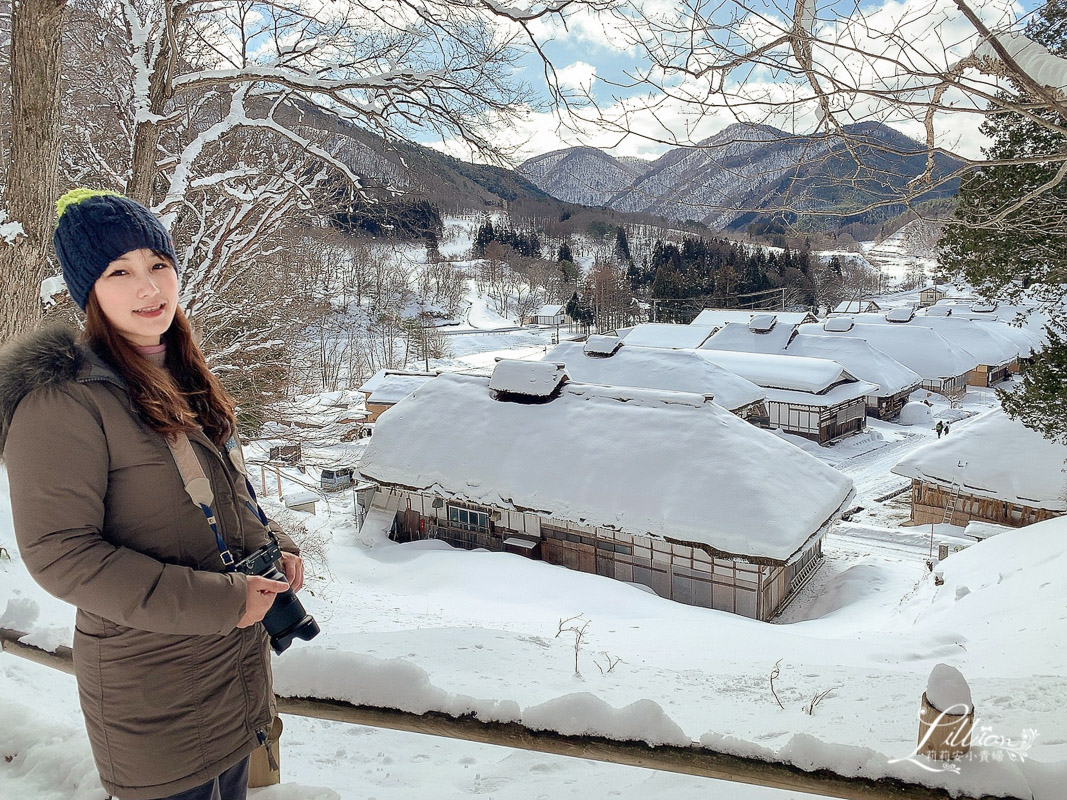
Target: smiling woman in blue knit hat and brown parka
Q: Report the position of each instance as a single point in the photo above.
(172, 667)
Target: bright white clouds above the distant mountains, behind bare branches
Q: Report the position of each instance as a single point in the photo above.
(884, 60)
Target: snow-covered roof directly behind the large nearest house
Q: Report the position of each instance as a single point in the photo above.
(655, 369)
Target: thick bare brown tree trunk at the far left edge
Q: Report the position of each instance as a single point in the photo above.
(37, 36)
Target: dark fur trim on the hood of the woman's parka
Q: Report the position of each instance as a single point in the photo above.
(45, 358)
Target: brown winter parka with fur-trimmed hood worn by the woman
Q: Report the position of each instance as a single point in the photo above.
(172, 693)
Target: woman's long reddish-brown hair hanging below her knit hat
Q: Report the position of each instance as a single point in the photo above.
(180, 398)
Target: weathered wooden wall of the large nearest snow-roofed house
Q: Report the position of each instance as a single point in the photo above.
(679, 572)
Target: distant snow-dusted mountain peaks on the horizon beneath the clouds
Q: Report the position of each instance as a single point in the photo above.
(752, 175)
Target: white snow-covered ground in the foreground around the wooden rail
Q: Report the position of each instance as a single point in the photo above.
(423, 627)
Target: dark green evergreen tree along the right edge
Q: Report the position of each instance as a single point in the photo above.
(1005, 242)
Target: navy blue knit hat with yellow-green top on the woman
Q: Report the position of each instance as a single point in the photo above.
(93, 229)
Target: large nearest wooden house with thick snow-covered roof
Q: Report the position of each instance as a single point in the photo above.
(624, 505)
